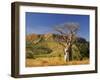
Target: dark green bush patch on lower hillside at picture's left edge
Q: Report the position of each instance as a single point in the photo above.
(34, 51)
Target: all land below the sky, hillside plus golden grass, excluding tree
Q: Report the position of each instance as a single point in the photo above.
(43, 50)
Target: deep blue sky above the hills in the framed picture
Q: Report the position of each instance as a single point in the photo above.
(41, 23)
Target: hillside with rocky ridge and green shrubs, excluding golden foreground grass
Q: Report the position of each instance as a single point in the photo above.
(45, 45)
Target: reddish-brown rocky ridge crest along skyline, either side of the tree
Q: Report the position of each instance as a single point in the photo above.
(50, 37)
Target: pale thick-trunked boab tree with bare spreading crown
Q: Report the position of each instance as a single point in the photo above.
(68, 33)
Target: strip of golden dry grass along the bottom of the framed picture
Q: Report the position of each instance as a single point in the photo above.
(53, 61)
